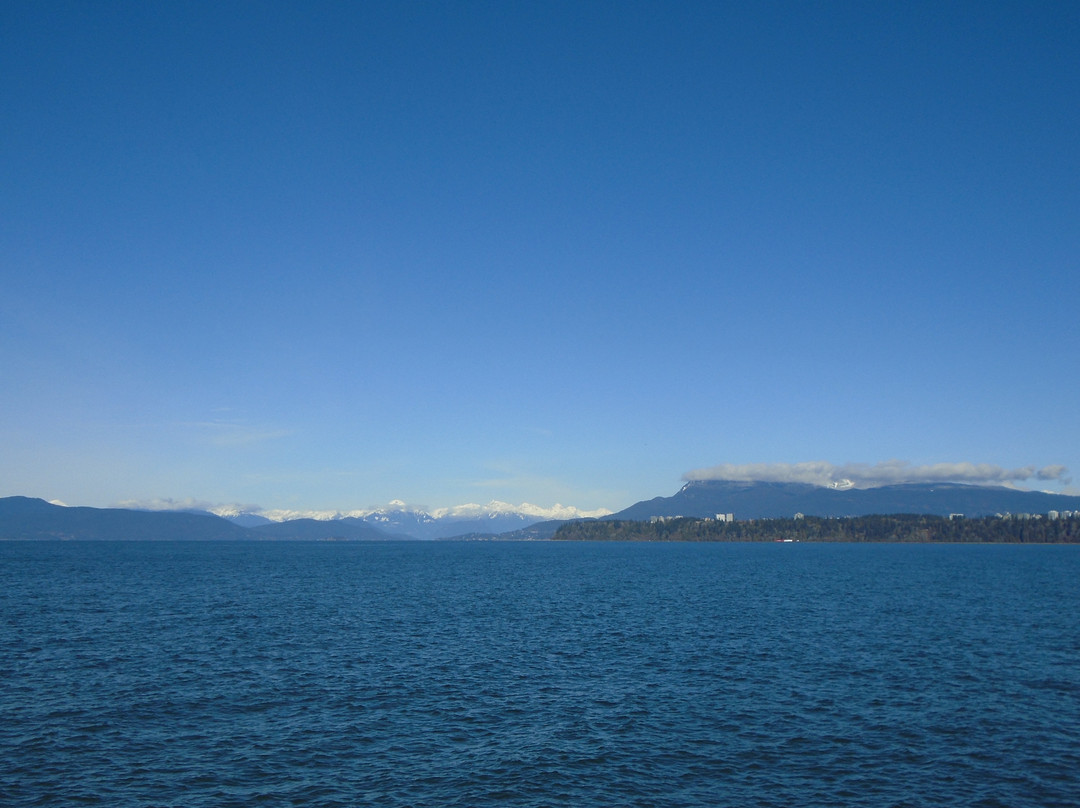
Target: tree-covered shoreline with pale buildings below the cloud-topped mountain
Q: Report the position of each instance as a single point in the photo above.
(892, 529)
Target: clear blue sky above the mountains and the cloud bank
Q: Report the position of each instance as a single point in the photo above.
(328, 255)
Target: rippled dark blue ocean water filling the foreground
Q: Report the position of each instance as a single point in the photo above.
(538, 675)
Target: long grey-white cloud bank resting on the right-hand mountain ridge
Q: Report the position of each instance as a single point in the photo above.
(892, 473)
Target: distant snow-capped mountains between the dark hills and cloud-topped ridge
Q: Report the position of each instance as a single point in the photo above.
(397, 518)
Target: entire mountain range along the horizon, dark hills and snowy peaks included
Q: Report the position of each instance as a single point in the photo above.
(23, 518)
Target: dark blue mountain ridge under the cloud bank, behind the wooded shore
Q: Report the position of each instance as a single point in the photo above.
(784, 501)
